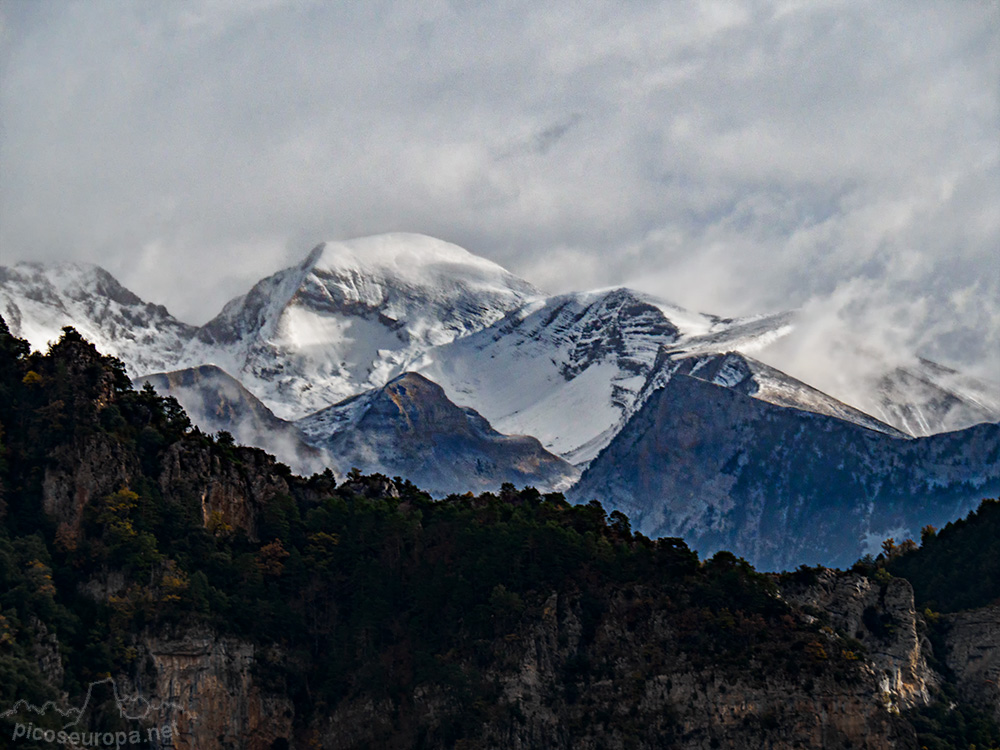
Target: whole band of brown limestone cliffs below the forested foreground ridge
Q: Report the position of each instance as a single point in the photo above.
(562, 680)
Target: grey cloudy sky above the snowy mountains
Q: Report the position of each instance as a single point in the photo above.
(842, 157)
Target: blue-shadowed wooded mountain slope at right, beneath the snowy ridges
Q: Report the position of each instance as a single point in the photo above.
(782, 486)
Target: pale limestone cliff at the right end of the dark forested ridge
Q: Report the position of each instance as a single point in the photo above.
(883, 618)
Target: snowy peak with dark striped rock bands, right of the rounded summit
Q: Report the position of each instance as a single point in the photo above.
(568, 369)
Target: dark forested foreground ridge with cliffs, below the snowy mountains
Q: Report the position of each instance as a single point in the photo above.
(256, 609)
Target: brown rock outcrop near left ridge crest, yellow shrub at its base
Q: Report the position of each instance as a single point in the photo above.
(230, 493)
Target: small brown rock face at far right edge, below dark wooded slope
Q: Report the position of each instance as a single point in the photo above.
(973, 644)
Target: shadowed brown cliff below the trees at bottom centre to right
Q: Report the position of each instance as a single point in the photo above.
(654, 694)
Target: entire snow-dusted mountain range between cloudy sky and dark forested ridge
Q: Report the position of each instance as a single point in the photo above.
(409, 356)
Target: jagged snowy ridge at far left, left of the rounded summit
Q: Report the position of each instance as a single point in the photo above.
(38, 300)
